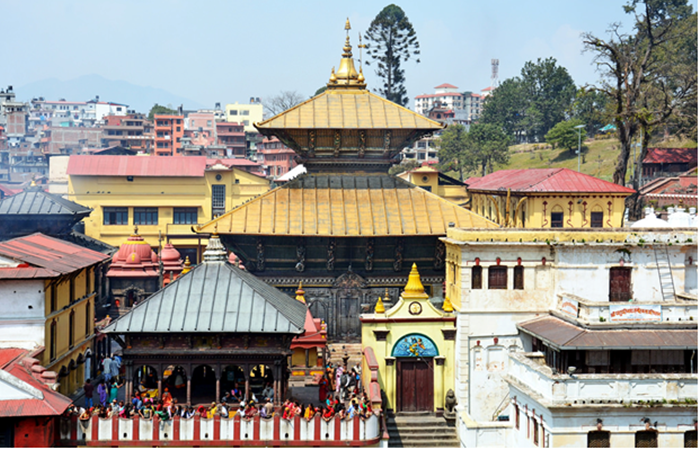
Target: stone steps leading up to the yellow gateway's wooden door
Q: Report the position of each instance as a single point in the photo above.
(421, 429)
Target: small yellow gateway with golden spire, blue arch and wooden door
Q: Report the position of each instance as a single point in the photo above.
(413, 343)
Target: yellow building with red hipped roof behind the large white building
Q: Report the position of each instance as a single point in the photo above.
(548, 198)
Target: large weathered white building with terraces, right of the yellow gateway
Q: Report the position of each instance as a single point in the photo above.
(541, 347)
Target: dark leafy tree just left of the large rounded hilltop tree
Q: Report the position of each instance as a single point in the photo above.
(506, 106)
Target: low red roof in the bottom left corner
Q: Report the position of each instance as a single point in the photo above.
(52, 403)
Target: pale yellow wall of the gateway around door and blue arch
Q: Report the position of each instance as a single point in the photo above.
(400, 322)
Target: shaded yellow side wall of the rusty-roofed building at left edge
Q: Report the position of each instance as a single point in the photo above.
(82, 306)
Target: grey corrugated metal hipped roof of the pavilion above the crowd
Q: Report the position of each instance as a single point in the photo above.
(215, 297)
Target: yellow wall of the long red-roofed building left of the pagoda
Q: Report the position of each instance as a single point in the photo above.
(164, 193)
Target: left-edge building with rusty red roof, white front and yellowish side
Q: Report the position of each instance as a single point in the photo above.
(47, 292)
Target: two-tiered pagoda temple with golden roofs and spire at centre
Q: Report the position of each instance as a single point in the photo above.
(346, 228)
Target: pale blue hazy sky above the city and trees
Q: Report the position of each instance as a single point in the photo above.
(227, 51)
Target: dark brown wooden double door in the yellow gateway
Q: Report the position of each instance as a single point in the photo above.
(414, 384)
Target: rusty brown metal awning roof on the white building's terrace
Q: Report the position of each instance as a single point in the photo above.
(563, 335)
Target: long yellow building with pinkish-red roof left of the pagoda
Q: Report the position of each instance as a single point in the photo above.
(165, 197)
